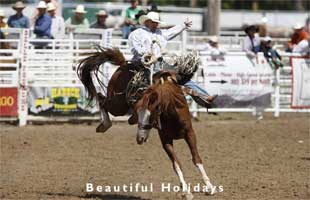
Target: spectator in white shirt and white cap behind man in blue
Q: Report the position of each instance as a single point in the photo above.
(58, 23)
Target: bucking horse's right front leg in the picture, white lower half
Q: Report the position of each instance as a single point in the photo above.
(190, 139)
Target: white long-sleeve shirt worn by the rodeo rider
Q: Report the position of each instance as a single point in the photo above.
(140, 41)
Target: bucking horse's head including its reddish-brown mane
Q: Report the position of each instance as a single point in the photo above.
(162, 97)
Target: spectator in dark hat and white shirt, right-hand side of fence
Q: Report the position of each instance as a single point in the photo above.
(251, 42)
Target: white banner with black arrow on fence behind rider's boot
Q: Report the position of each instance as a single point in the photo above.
(239, 81)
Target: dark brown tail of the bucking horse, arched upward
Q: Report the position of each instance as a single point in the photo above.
(92, 64)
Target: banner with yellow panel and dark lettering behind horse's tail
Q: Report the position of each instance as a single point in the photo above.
(63, 101)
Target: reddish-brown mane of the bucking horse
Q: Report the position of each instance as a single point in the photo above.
(169, 95)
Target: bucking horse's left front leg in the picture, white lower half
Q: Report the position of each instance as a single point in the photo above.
(168, 147)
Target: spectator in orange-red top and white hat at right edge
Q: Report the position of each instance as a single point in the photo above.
(299, 40)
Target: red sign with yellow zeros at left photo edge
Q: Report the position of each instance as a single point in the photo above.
(8, 102)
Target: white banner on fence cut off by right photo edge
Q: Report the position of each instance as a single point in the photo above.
(300, 82)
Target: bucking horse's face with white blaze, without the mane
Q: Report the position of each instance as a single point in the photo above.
(147, 109)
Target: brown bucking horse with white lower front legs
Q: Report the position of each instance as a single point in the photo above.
(160, 105)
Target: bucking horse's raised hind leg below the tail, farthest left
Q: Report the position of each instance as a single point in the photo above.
(105, 119)
